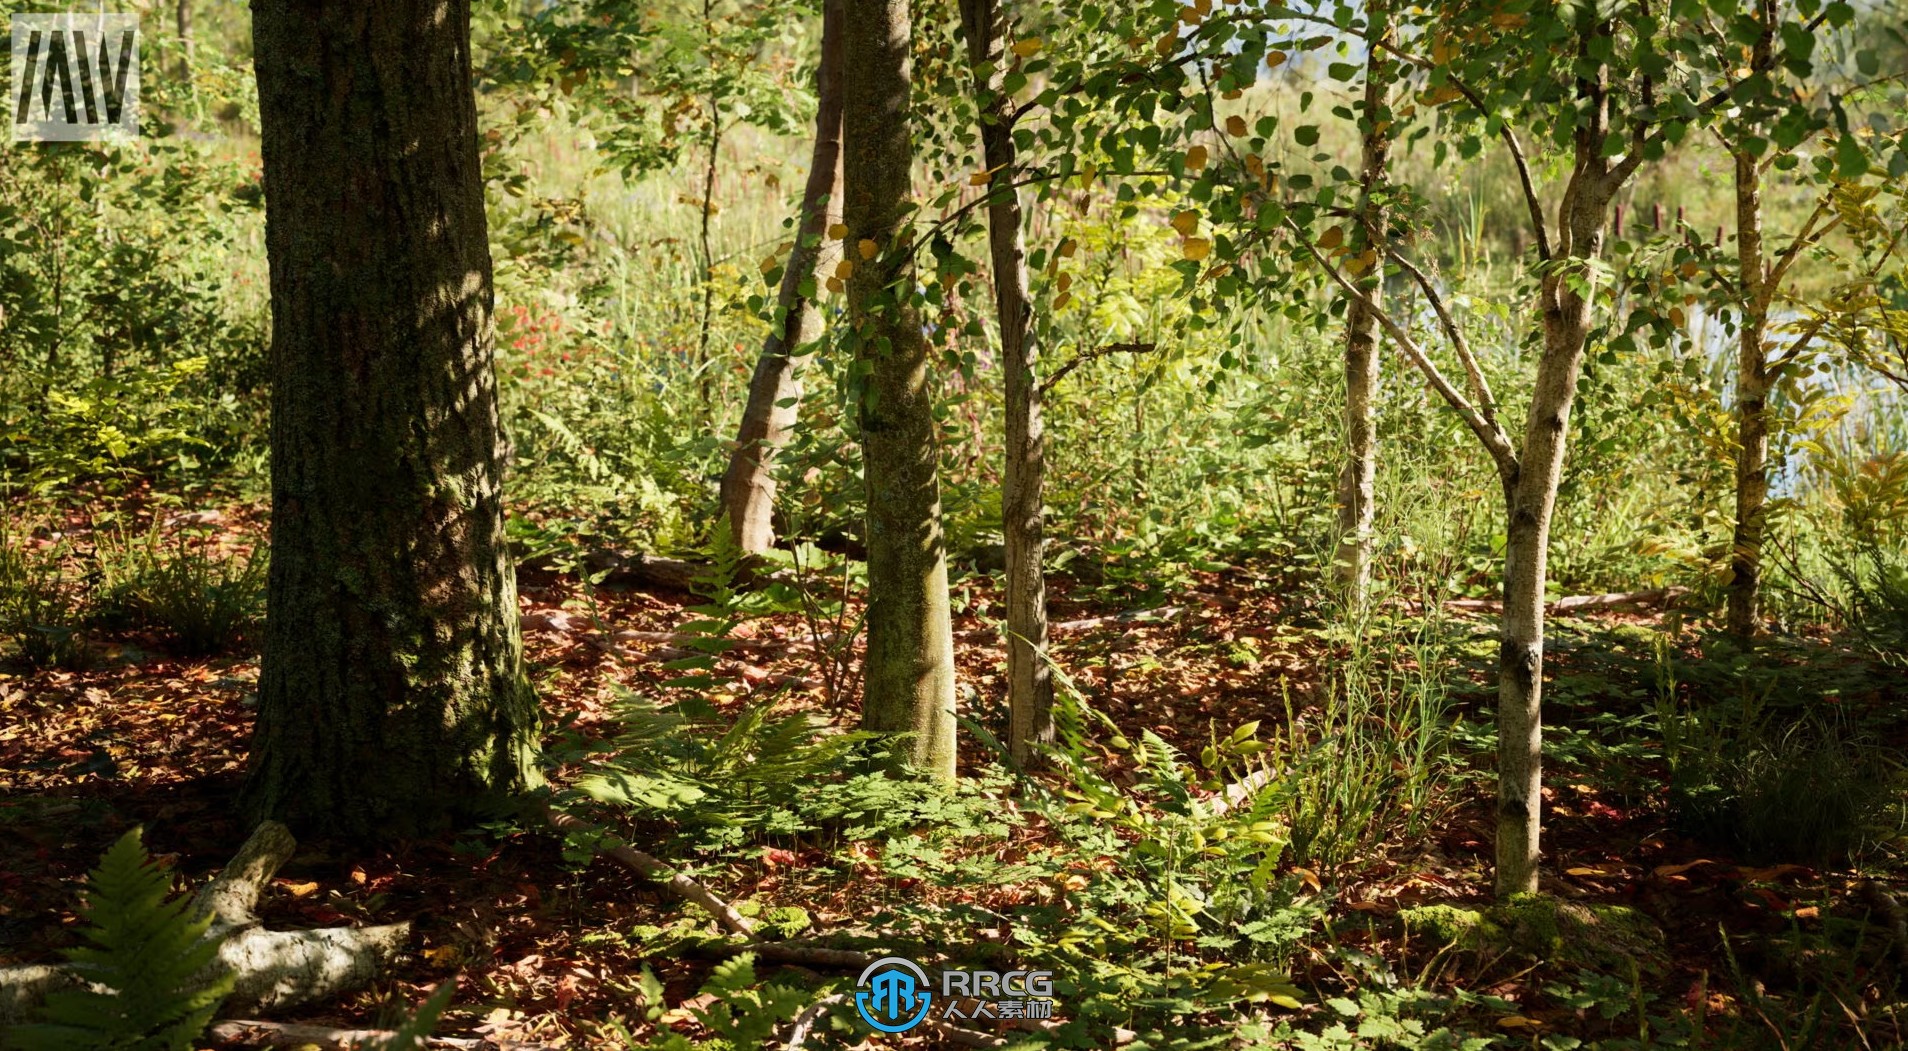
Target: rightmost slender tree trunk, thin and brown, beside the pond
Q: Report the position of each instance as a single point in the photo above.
(1752, 407)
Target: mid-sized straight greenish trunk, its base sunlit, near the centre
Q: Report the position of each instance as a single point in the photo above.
(909, 672)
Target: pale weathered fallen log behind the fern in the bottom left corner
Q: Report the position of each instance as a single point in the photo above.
(272, 970)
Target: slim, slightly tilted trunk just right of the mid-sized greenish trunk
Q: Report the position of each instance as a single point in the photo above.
(1029, 680)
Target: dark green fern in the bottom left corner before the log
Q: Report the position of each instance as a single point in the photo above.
(144, 974)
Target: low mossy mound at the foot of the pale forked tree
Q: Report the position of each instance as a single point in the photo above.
(1552, 930)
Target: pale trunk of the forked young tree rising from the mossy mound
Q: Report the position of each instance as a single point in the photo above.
(1531, 499)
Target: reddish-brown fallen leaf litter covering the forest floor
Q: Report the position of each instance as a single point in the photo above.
(545, 947)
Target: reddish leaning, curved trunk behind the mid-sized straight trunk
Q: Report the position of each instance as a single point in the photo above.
(774, 392)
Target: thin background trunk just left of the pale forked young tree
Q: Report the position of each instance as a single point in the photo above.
(1358, 482)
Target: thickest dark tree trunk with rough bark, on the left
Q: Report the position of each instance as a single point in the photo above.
(392, 693)
